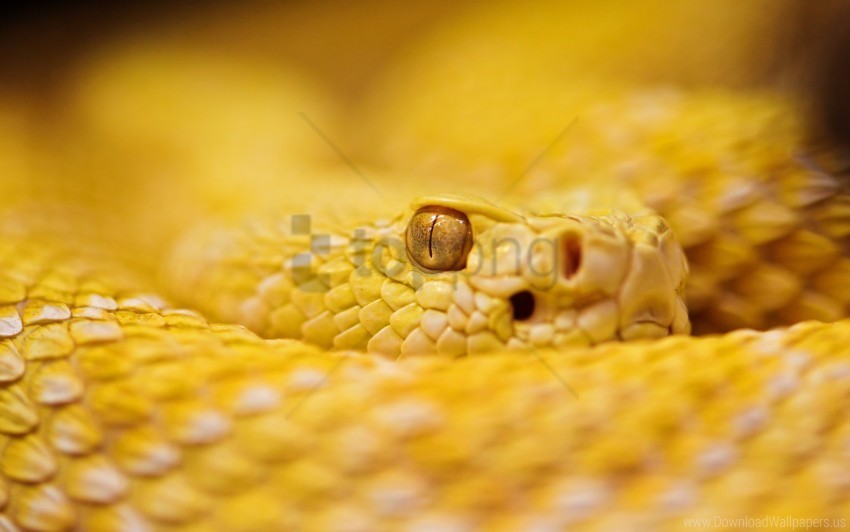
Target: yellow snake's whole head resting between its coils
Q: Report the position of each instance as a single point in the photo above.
(451, 275)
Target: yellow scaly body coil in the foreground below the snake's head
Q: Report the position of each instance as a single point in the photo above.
(121, 413)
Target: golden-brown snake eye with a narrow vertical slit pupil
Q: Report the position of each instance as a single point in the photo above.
(439, 238)
